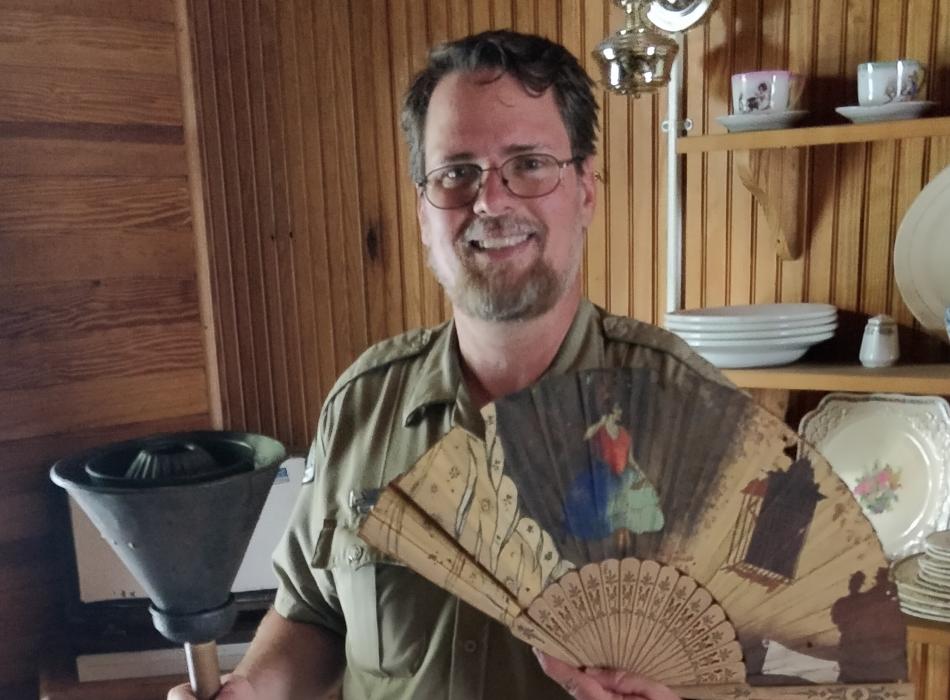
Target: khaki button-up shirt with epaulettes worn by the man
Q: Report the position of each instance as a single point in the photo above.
(405, 637)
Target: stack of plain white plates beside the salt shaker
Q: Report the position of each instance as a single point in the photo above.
(754, 335)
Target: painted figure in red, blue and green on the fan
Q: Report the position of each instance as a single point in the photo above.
(612, 494)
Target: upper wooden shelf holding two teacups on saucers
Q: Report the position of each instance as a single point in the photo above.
(816, 135)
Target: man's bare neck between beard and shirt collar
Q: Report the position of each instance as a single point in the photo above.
(499, 358)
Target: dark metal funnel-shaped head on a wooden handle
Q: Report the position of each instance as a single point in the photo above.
(179, 510)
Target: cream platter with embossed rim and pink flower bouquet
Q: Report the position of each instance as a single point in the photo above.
(893, 452)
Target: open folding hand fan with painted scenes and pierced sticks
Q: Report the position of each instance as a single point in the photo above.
(660, 523)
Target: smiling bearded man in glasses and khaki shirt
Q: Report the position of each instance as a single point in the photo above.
(501, 130)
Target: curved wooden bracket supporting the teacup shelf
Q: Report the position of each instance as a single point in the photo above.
(776, 178)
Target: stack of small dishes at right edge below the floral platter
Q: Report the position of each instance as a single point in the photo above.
(923, 580)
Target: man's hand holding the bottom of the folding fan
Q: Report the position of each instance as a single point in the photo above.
(601, 684)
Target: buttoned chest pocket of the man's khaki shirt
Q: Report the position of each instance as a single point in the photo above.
(380, 599)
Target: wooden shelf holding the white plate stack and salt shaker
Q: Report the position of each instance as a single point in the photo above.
(931, 379)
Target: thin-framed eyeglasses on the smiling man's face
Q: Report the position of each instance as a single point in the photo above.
(527, 175)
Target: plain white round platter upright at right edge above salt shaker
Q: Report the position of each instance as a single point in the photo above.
(922, 255)
